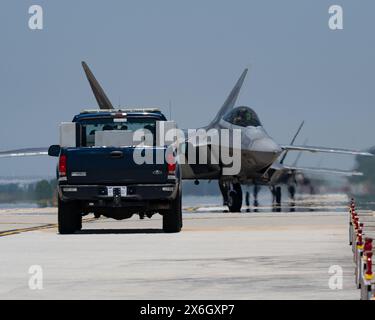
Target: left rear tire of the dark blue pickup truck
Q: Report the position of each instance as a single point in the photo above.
(69, 217)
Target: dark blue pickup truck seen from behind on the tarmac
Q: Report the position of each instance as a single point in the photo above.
(100, 177)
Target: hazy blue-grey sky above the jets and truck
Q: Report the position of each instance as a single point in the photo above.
(191, 52)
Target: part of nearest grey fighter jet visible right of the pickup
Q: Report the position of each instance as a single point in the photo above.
(262, 158)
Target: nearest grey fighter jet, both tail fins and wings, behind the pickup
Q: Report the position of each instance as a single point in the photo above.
(262, 158)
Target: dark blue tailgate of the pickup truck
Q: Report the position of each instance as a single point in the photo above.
(111, 166)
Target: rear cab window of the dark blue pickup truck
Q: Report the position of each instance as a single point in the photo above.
(89, 127)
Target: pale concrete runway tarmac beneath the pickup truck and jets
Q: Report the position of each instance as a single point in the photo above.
(264, 255)
